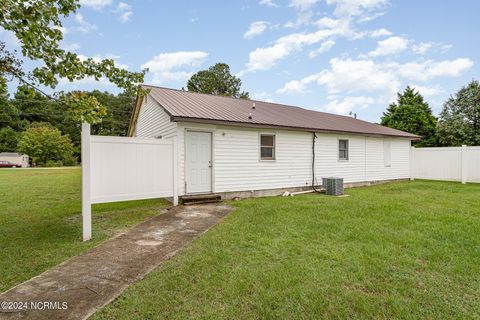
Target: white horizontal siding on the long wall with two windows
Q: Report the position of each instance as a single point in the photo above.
(236, 165)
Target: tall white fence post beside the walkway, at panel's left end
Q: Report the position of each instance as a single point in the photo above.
(86, 184)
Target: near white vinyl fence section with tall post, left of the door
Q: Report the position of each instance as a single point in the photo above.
(124, 168)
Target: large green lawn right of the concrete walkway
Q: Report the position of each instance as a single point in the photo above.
(403, 250)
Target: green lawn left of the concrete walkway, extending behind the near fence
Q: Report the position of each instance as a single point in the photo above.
(41, 223)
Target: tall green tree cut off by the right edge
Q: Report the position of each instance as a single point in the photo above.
(460, 118)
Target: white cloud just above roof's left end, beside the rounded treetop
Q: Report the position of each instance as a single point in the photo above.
(165, 66)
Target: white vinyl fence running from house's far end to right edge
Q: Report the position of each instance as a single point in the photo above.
(446, 163)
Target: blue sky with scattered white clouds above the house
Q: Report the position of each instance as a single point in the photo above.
(338, 56)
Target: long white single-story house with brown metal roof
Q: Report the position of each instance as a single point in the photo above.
(237, 147)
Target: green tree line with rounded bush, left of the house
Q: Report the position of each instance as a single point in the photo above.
(46, 129)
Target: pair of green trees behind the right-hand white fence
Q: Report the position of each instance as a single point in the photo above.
(457, 124)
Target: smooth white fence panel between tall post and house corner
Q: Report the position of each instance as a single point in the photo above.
(130, 168)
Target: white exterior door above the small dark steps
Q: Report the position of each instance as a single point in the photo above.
(198, 162)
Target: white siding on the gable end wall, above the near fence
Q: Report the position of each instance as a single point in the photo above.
(153, 121)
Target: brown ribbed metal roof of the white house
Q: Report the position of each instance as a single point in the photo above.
(205, 108)
